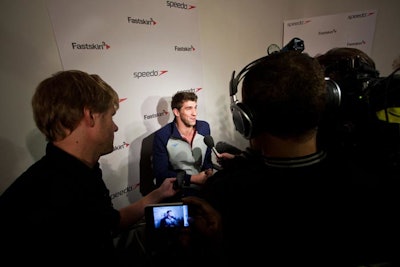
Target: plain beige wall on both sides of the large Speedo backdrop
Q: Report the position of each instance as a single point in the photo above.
(233, 33)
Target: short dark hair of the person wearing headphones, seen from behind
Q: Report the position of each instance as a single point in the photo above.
(287, 92)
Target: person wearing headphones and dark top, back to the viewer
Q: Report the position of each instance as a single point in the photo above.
(285, 201)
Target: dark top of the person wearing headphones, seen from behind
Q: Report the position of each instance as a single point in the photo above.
(310, 211)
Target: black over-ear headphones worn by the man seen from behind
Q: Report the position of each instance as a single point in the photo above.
(244, 118)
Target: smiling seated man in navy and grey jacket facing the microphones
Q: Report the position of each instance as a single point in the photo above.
(179, 146)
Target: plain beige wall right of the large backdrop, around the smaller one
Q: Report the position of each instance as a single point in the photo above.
(233, 33)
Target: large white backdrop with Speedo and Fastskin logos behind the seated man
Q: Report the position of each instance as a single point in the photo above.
(156, 47)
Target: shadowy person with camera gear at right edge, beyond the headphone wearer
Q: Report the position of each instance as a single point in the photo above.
(361, 127)
